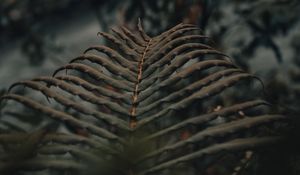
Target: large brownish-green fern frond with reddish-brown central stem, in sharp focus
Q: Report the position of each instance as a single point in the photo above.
(146, 105)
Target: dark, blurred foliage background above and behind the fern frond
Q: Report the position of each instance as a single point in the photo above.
(261, 36)
